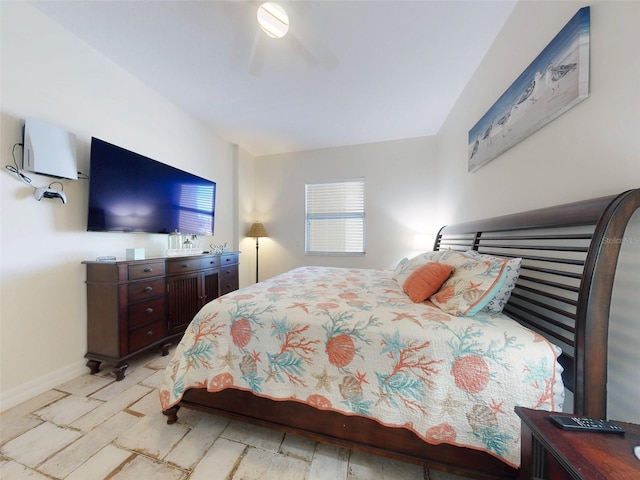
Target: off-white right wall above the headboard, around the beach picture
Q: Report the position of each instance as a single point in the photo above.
(592, 150)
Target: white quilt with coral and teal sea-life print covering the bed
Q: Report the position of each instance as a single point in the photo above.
(351, 340)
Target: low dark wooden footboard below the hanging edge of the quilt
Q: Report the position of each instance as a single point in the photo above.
(352, 432)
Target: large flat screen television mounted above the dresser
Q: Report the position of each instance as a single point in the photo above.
(132, 193)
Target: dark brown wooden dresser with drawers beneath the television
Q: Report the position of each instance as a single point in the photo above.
(137, 305)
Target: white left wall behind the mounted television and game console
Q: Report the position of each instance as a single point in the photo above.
(49, 74)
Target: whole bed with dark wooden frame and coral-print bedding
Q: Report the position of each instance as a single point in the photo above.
(349, 358)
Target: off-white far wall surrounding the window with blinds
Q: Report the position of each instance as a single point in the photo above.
(400, 196)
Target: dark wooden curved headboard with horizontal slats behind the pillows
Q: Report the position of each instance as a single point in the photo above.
(570, 254)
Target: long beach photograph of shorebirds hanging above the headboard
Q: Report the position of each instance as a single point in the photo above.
(554, 82)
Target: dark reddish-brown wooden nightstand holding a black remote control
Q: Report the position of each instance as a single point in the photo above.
(554, 454)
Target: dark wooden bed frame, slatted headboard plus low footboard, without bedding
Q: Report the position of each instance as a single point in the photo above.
(569, 256)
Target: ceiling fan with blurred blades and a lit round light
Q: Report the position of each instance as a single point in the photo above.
(275, 23)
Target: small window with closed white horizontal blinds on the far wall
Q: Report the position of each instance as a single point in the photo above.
(335, 217)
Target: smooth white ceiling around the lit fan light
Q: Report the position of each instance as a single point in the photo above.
(349, 72)
